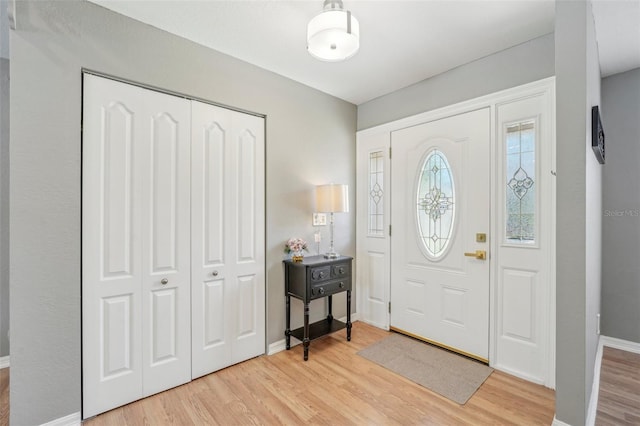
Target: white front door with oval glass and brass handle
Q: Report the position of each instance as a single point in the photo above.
(440, 210)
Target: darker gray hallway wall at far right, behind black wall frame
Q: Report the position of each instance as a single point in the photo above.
(621, 239)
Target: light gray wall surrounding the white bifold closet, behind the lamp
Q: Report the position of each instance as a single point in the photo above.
(310, 140)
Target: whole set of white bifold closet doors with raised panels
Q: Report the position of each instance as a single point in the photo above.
(172, 241)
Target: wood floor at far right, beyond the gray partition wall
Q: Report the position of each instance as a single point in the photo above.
(619, 393)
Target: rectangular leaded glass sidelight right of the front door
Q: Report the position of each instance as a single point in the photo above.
(520, 186)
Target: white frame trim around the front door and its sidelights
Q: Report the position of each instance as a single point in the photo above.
(492, 100)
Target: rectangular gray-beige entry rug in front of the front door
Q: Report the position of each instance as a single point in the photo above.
(452, 376)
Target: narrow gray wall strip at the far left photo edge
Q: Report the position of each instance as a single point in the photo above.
(4, 207)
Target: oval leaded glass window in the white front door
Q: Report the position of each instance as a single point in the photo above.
(435, 203)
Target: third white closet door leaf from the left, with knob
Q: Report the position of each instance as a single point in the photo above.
(212, 304)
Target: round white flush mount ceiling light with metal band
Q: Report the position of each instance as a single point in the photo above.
(334, 34)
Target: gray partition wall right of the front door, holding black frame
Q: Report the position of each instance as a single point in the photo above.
(579, 198)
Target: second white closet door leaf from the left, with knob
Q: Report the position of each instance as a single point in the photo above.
(166, 162)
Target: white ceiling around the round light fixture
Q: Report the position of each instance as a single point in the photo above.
(402, 42)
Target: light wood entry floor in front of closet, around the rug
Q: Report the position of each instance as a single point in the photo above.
(335, 387)
